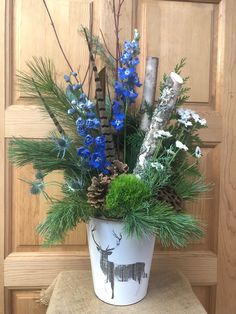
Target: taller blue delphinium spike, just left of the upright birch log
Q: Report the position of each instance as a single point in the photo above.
(127, 81)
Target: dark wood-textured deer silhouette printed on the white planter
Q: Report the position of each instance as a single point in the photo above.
(121, 272)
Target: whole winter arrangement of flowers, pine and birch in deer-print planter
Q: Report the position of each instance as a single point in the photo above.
(127, 169)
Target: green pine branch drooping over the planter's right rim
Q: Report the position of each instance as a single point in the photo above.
(172, 229)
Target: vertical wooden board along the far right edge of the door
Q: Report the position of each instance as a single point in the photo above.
(226, 287)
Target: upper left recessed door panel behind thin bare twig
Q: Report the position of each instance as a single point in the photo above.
(68, 16)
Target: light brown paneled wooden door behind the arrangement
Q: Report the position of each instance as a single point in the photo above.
(201, 30)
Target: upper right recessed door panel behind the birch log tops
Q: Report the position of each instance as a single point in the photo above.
(159, 39)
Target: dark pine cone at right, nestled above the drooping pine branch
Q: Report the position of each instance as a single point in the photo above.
(167, 194)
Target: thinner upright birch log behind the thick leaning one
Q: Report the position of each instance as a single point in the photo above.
(149, 90)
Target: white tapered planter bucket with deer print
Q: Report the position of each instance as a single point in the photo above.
(120, 265)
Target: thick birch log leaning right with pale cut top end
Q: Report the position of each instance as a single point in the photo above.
(161, 116)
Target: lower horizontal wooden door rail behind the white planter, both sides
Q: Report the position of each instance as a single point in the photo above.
(39, 269)
